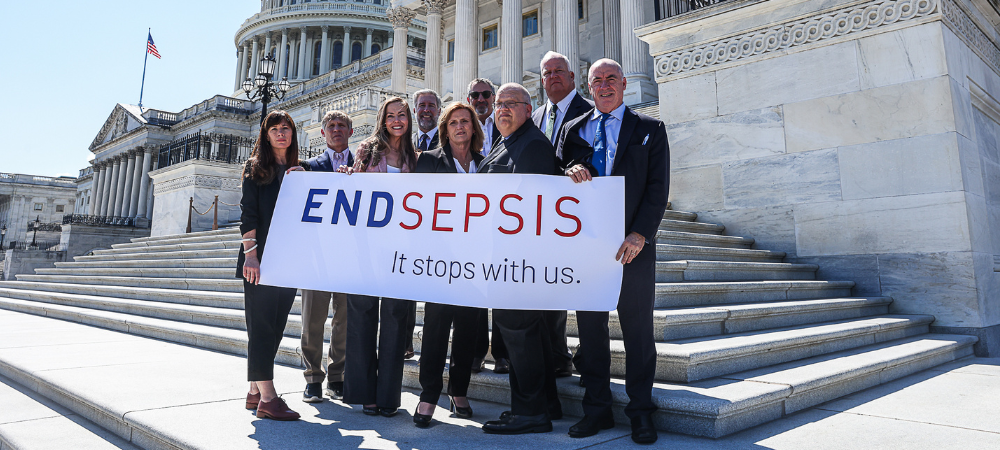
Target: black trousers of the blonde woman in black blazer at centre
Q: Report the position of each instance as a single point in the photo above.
(438, 320)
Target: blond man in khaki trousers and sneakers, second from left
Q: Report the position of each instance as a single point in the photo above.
(337, 129)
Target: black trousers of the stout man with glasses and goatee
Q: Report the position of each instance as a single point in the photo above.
(532, 375)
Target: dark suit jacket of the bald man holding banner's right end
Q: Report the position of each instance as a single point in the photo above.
(642, 157)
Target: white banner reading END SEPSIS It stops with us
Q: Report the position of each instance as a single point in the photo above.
(498, 241)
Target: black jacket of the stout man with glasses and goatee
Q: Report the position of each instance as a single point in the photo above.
(526, 150)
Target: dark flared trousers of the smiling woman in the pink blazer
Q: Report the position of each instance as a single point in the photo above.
(373, 372)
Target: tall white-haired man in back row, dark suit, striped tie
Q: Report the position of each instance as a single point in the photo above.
(563, 105)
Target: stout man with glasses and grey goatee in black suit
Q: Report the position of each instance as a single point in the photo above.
(523, 149)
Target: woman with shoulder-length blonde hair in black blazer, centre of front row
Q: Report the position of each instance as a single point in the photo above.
(460, 134)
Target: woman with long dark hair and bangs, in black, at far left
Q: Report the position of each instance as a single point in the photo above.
(266, 307)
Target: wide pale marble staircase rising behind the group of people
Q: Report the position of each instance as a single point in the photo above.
(742, 338)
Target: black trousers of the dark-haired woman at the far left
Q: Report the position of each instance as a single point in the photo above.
(266, 308)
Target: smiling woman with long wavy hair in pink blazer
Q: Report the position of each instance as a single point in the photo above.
(373, 374)
